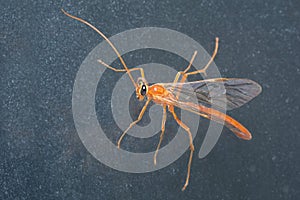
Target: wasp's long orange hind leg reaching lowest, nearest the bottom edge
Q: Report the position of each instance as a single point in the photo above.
(187, 129)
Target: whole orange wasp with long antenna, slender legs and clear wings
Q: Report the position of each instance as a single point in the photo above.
(237, 92)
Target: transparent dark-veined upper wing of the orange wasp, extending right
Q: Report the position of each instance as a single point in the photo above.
(232, 92)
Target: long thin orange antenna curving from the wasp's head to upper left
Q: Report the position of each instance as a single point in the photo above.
(108, 41)
